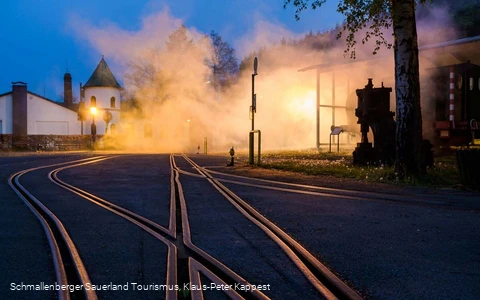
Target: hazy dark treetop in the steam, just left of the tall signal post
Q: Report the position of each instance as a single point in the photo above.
(223, 63)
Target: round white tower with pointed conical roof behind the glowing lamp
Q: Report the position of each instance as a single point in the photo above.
(102, 91)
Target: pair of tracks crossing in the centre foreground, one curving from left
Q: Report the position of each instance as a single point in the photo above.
(185, 261)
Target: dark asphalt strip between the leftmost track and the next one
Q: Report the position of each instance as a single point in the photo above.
(112, 249)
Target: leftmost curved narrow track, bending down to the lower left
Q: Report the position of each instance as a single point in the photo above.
(69, 268)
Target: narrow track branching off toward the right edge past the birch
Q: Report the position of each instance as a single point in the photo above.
(433, 200)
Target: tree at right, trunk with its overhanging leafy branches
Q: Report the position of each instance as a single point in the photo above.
(372, 16)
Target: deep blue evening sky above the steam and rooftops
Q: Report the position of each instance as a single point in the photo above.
(38, 38)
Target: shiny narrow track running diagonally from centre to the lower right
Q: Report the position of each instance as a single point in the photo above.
(324, 281)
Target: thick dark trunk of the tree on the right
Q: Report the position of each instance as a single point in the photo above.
(409, 161)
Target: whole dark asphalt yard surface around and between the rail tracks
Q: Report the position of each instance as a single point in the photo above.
(384, 249)
